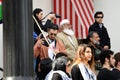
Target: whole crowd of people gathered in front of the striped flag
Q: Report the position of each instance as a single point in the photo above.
(58, 56)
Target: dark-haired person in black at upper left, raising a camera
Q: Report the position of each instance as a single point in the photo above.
(38, 14)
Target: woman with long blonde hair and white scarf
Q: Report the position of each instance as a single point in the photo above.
(83, 67)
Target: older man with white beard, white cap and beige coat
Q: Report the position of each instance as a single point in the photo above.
(68, 38)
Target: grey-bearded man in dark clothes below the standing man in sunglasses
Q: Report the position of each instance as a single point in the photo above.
(93, 39)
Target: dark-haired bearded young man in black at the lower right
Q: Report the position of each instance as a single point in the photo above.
(108, 61)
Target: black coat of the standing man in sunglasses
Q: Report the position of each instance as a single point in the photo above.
(103, 34)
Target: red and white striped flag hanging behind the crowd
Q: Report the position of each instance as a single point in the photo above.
(79, 12)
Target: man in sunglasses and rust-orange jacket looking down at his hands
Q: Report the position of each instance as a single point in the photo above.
(43, 50)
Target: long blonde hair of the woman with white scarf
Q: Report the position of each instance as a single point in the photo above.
(80, 56)
